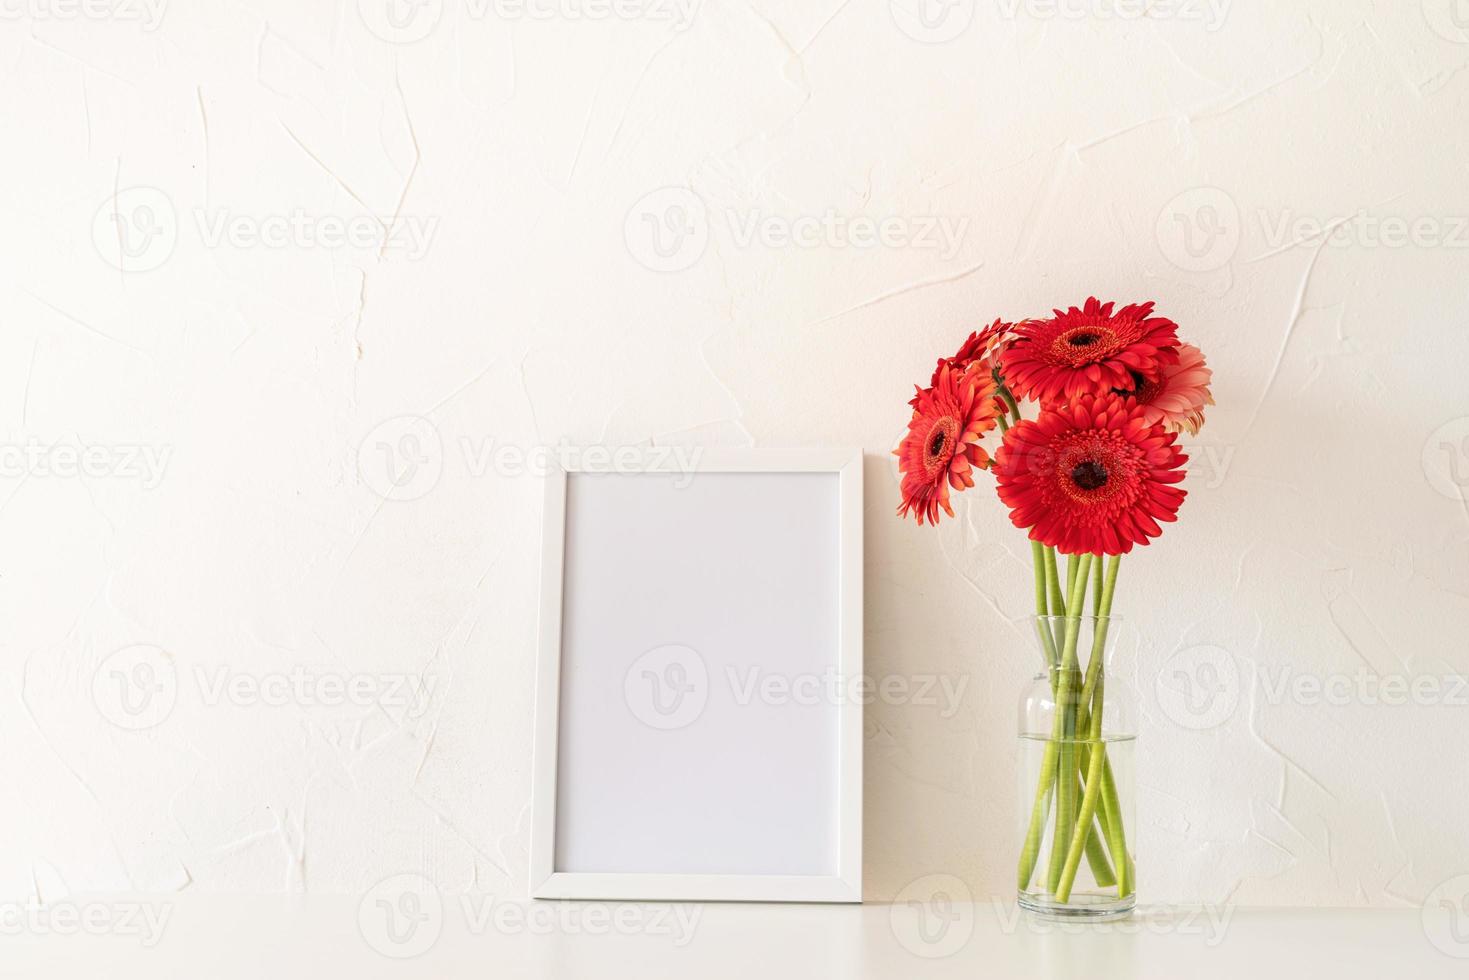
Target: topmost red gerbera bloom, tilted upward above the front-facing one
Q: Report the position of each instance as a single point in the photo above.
(1089, 350)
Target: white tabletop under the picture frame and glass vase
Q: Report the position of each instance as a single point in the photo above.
(481, 937)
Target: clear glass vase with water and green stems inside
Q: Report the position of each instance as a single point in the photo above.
(1078, 732)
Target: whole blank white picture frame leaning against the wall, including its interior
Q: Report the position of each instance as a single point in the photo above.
(779, 826)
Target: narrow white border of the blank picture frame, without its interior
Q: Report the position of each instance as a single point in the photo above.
(847, 884)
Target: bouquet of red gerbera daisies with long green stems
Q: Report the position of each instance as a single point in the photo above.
(1092, 474)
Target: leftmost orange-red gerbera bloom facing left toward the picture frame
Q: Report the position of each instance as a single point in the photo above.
(942, 443)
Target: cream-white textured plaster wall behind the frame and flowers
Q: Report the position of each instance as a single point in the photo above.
(243, 380)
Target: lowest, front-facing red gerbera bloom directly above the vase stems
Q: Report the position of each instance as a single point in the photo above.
(1091, 477)
